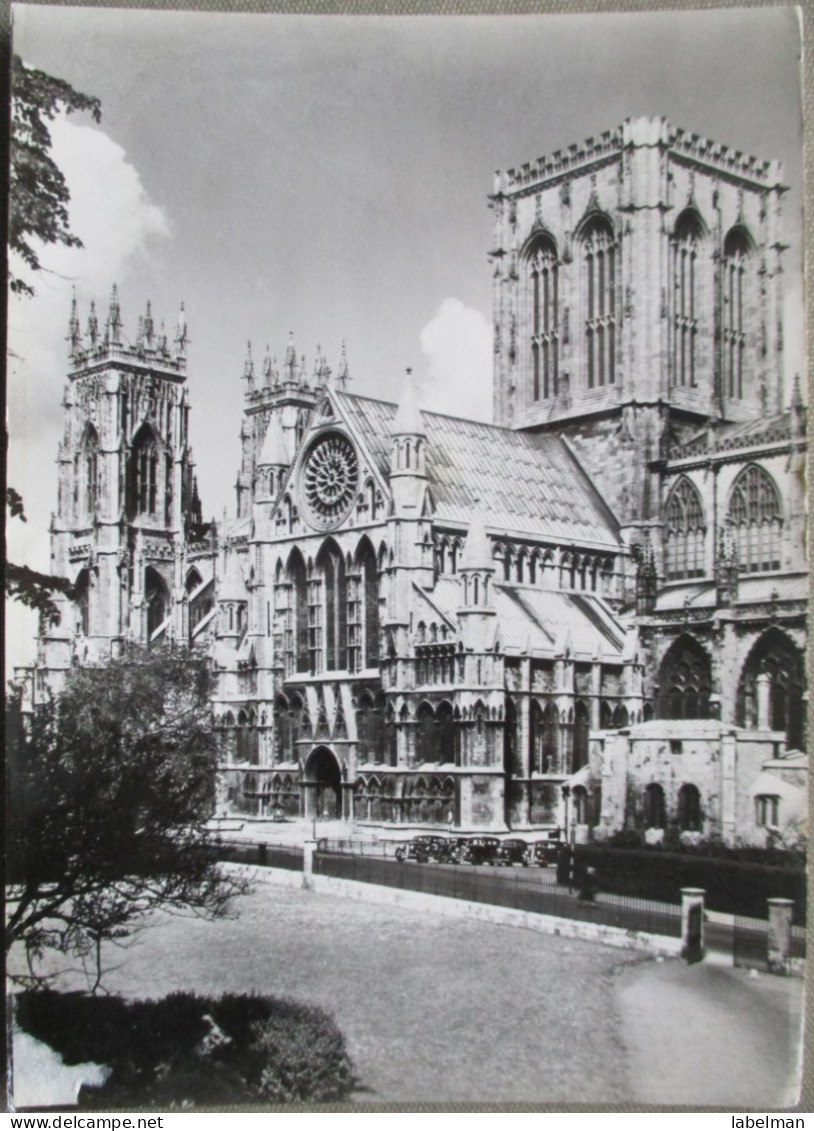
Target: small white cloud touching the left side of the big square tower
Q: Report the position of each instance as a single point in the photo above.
(458, 348)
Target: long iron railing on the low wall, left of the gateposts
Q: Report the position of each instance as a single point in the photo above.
(519, 890)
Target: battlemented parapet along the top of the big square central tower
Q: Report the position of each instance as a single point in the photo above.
(635, 133)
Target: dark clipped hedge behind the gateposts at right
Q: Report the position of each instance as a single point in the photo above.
(738, 887)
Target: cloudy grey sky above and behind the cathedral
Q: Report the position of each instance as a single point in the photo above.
(328, 177)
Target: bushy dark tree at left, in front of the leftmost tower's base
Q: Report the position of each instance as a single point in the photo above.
(109, 790)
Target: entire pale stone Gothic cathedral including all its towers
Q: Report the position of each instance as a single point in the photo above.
(591, 615)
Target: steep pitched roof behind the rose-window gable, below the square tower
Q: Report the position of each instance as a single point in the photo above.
(526, 484)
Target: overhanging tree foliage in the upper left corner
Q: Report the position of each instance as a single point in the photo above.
(39, 194)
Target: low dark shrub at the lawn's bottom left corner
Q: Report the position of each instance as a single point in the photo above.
(188, 1051)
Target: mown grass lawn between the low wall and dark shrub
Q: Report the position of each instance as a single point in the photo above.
(434, 1009)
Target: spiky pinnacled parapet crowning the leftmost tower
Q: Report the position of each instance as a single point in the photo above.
(101, 344)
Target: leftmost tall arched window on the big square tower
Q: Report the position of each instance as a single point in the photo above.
(544, 324)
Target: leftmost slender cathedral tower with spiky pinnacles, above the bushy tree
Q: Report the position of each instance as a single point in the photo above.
(127, 497)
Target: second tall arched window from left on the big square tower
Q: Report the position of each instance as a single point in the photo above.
(600, 298)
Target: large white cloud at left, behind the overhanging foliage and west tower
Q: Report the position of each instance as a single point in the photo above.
(119, 226)
